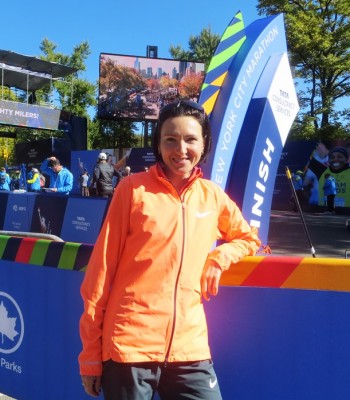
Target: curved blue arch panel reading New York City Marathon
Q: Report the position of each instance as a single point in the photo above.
(264, 37)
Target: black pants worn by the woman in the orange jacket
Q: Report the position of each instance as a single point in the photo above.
(176, 381)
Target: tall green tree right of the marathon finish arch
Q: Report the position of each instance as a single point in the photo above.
(318, 36)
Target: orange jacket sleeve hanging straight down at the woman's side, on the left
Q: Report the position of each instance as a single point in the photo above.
(99, 276)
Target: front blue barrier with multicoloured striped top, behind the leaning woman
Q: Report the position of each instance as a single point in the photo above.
(269, 343)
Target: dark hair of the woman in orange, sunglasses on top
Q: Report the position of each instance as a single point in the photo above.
(179, 109)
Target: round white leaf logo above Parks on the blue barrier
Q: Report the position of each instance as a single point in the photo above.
(11, 324)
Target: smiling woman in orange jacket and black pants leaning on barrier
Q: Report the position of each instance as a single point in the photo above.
(143, 328)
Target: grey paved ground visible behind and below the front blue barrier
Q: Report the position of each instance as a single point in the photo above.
(289, 236)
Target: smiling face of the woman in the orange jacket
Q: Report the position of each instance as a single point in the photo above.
(181, 146)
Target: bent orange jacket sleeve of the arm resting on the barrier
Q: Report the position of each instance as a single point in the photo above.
(239, 238)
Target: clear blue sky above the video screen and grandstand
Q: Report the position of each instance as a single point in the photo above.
(117, 27)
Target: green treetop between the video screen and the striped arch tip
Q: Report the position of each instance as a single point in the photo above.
(201, 47)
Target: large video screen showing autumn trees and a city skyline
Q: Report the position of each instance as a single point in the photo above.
(135, 88)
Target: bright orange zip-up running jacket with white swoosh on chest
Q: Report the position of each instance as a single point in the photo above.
(141, 291)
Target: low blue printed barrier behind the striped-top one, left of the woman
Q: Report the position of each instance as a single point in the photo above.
(73, 218)
